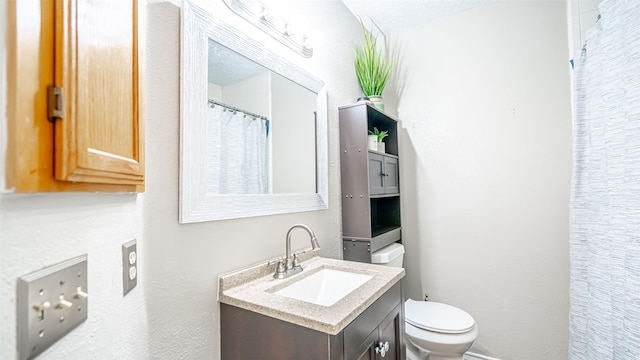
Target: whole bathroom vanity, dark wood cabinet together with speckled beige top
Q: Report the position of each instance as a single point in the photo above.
(258, 323)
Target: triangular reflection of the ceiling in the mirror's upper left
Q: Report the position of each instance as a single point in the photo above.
(228, 67)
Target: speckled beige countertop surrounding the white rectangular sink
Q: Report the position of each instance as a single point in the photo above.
(253, 288)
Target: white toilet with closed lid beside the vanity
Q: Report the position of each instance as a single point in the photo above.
(433, 330)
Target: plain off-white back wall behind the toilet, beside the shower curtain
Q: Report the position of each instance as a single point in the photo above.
(486, 163)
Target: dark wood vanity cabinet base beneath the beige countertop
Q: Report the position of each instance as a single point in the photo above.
(247, 335)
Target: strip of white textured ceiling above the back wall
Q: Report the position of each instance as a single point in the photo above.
(394, 15)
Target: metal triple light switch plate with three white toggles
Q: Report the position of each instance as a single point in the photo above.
(51, 302)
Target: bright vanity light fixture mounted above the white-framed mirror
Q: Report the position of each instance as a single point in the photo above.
(286, 31)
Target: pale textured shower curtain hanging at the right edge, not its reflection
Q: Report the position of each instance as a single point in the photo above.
(605, 199)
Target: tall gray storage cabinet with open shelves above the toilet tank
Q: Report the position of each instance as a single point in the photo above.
(370, 182)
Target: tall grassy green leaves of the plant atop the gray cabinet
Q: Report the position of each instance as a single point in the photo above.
(372, 68)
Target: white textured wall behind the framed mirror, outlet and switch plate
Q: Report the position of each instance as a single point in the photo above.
(173, 313)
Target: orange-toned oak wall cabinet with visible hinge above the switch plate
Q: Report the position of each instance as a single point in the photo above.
(74, 97)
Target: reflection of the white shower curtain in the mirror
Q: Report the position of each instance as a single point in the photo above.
(237, 153)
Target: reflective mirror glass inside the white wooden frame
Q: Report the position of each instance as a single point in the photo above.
(260, 128)
